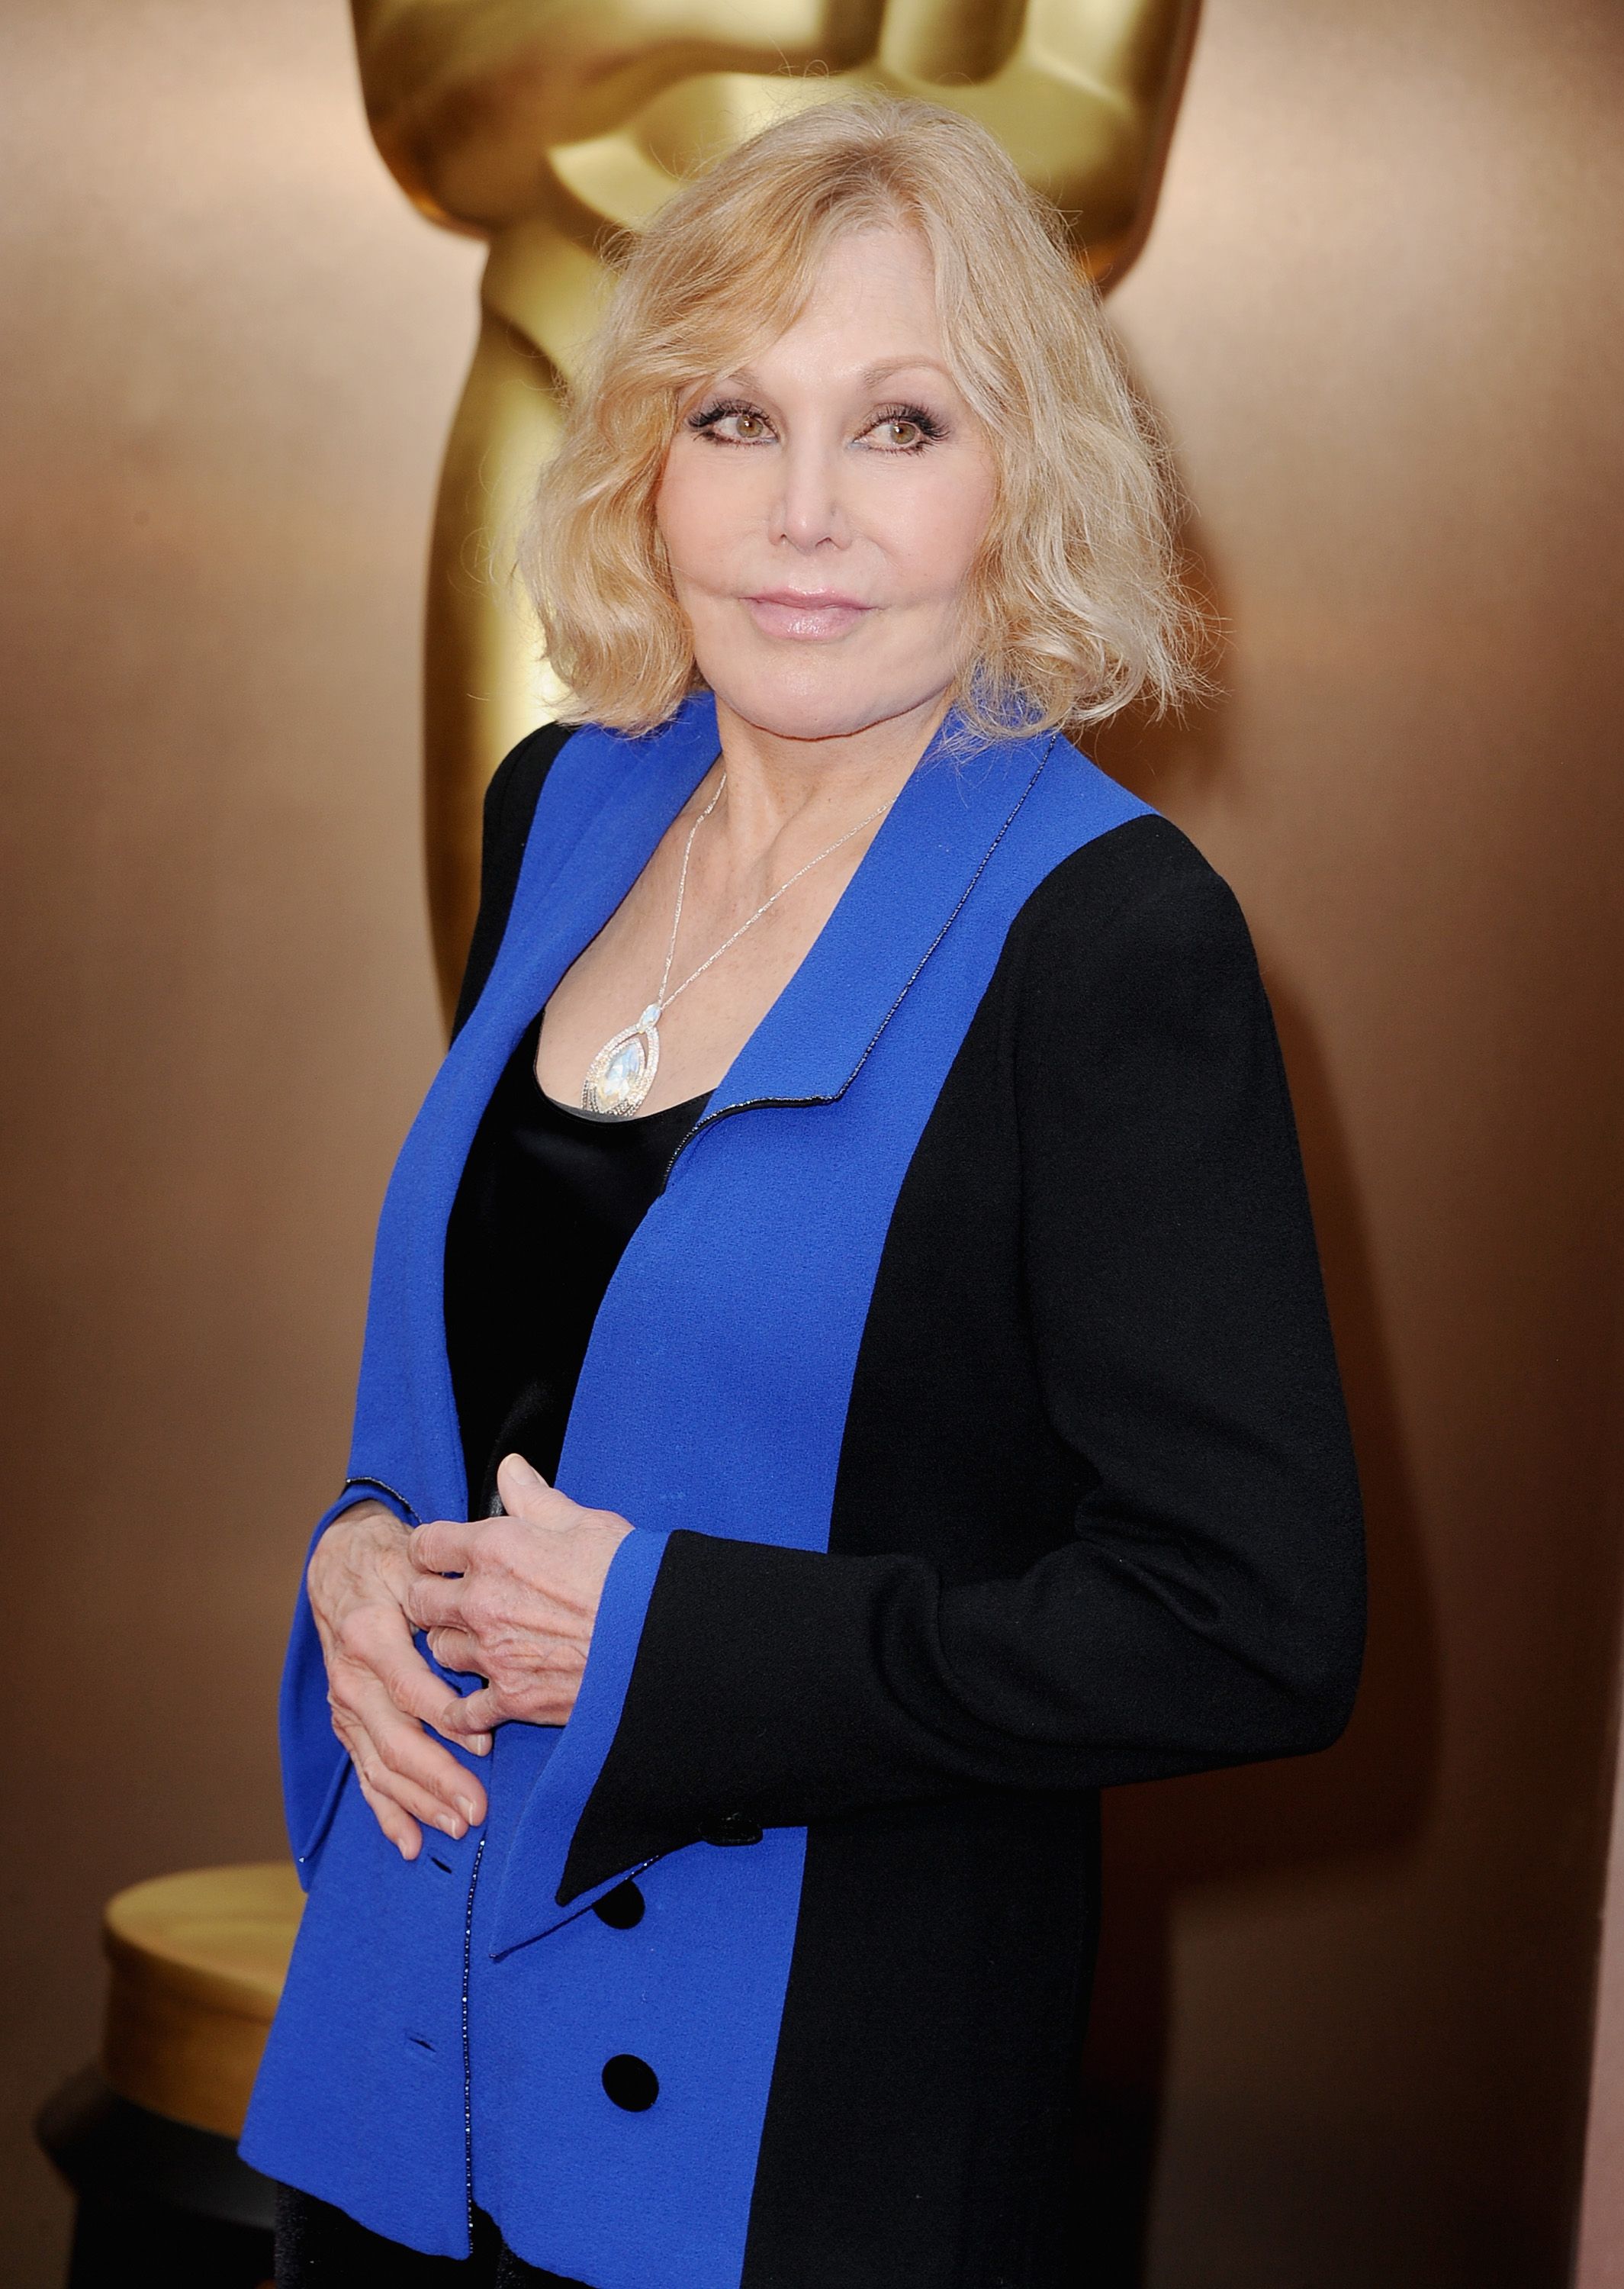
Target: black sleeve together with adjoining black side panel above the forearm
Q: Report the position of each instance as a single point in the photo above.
(1097, 1516)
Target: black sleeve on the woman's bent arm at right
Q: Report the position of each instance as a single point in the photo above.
(1209, 1603)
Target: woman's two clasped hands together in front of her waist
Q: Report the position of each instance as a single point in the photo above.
(511, 1601)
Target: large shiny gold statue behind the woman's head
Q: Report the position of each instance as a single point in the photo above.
(550, 125)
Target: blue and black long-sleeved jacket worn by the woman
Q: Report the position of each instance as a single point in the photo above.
(973, 1397)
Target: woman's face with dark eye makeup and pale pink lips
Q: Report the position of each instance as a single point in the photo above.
(825, 502)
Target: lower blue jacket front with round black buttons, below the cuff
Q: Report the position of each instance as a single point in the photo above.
(694, 1990)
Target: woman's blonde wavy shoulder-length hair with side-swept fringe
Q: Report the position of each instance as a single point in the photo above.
(1076, 603)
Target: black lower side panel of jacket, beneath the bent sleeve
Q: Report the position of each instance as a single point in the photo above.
(923, 2114)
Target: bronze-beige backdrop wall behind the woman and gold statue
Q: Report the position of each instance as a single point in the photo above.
(1380, 312)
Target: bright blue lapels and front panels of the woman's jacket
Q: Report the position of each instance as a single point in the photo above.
(713, 1397)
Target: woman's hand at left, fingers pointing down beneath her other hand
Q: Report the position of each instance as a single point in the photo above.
(381, 1688)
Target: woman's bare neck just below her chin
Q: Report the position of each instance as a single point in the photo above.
(774, 782)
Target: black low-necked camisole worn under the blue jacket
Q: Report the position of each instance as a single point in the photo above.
(548, 1203)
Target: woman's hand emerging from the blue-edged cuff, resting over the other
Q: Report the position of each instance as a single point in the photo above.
(514, 1599)
